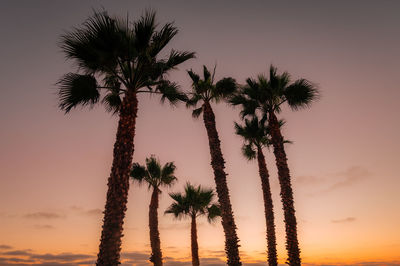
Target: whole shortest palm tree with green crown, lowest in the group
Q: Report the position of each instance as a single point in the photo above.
(196, 201)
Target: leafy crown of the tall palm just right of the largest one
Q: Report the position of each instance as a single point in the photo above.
(206, 91)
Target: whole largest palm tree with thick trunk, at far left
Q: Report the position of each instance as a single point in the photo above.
(117, 60)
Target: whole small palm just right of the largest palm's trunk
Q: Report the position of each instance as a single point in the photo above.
(155, 177)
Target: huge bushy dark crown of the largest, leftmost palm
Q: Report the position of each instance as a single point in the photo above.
(116, 56)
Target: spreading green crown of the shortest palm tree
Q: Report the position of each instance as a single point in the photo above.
(195, 201)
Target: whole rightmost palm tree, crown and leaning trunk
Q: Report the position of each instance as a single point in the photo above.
(267, 95)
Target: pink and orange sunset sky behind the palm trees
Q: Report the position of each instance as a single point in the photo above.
(343, 160)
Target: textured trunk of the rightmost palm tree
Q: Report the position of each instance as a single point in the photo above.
(292, 244)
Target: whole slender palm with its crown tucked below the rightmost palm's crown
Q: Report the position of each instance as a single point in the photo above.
(256, 136)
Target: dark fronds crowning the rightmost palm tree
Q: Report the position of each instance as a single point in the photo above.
(268, 94)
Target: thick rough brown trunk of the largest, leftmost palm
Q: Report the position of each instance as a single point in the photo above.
(118, 184)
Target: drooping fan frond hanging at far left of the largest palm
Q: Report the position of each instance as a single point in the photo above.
(76, 89)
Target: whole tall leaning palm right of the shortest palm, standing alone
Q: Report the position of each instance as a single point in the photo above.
(204, 91)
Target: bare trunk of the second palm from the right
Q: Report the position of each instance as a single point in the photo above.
(269, 208)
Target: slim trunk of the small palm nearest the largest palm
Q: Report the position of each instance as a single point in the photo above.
(156, 255)
